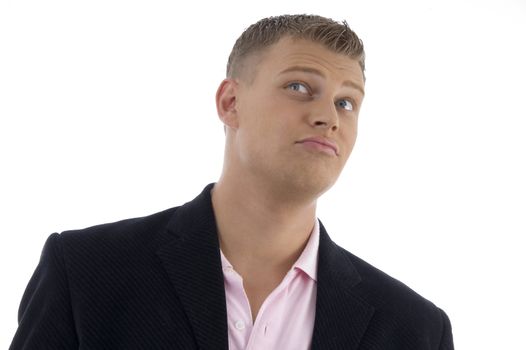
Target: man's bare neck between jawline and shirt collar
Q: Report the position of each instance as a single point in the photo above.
(258, 229)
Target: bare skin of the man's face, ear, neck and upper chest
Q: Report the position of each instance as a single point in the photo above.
(265, 200)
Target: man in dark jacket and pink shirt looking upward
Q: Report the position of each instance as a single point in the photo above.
(246, 264)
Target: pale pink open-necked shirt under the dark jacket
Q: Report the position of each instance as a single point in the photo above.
(286, 317)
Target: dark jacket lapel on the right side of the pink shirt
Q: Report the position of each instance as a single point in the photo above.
(341, 315)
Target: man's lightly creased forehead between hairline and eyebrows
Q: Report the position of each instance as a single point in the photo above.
(288, 53)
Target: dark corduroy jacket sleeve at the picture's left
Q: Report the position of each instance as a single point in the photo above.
(45, 318)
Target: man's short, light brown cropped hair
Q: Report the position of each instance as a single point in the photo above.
(337, 37)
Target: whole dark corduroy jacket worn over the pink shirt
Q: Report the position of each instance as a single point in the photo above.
(156, 283)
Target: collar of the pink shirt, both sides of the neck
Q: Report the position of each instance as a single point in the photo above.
(308, 260)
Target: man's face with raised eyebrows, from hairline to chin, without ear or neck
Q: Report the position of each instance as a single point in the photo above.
(297, 119)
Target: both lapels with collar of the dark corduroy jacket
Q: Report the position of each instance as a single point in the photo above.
(192, 260)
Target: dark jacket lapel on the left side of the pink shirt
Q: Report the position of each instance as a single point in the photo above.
(193, 263)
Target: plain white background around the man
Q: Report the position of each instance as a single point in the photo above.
(107, 112)
